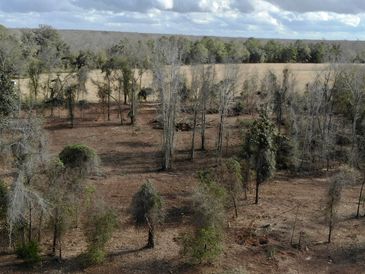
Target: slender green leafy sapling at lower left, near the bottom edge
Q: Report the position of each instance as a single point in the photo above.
(101, 225)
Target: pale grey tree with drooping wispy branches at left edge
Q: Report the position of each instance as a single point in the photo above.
(28, 147)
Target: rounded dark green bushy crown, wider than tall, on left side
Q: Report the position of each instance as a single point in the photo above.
(77, 156)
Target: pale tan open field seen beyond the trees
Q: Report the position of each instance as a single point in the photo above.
(302, 73)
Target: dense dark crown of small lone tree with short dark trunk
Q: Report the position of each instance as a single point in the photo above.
(147, 204)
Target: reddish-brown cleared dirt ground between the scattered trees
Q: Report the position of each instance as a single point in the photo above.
(257, 241)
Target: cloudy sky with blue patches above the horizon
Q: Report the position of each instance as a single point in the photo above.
(312, 19)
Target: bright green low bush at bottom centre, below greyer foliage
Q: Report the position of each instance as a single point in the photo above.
(202, 247)
